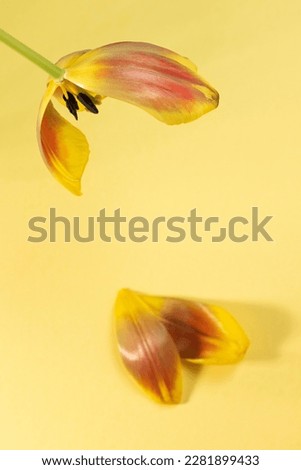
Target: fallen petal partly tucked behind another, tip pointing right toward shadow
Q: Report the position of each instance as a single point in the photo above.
(202, 333)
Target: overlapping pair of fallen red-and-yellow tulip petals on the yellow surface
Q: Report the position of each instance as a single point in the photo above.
(155, 333)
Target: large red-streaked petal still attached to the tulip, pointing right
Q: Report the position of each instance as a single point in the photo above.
(160, 81)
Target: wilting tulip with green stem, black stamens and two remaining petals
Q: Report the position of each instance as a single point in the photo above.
(161, 82)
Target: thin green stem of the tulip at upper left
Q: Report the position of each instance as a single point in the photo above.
(52, 69)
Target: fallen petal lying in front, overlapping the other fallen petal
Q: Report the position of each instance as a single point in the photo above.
(147, 349)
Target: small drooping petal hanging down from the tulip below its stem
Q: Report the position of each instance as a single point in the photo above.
(64, 148)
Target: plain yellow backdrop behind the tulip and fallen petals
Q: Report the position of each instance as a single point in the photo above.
(61, 384)
